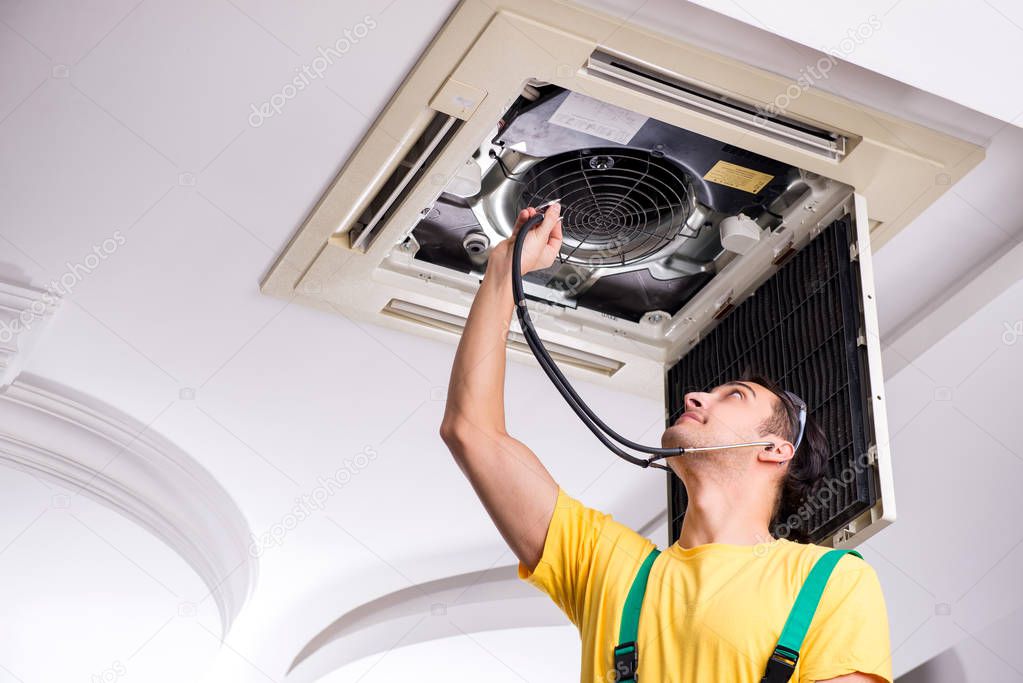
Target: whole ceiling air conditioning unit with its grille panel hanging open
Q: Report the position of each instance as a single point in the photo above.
(685, 191)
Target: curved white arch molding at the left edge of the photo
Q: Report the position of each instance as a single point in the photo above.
(82, 443)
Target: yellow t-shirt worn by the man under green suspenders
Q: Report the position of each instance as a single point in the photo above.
(713, 613)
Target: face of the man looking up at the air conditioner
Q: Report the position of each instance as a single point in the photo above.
(731, 414)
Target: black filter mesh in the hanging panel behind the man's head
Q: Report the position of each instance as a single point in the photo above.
(799, 329)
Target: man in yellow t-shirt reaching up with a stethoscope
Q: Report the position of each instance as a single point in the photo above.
(718, 599)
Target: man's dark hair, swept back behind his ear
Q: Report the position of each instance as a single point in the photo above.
(807, 471)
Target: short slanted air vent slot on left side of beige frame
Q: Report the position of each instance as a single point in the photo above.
(404, 179)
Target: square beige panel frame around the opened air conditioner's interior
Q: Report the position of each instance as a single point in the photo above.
(483, 56)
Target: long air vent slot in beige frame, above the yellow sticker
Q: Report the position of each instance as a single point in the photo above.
(699, 99)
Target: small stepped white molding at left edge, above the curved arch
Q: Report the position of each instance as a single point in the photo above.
(25, 312)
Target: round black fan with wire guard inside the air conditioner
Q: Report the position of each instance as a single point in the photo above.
(619, 206)
